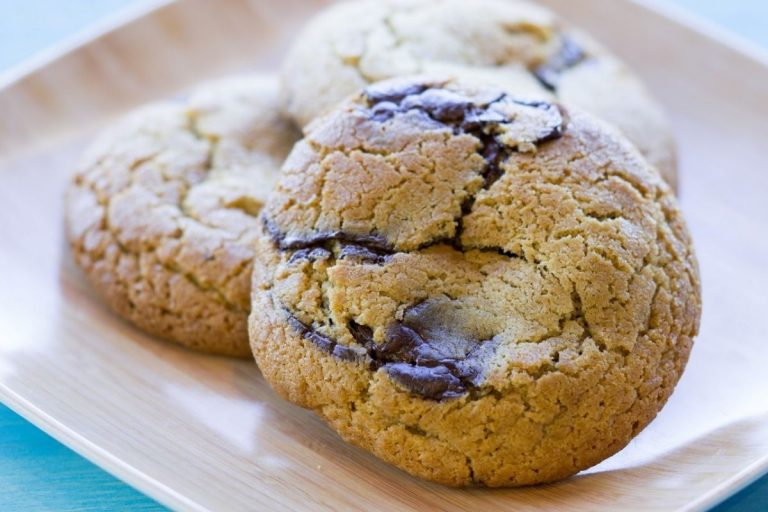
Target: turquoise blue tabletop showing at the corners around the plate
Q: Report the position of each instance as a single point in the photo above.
(39, 474)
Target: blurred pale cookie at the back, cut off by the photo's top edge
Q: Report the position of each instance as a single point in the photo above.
(521, 47)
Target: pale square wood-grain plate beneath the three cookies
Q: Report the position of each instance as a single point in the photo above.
(199, 432)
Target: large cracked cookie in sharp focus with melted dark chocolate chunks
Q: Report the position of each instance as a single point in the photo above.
(477, 289)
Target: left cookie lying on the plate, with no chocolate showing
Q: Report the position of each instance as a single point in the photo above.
(162, 210)
